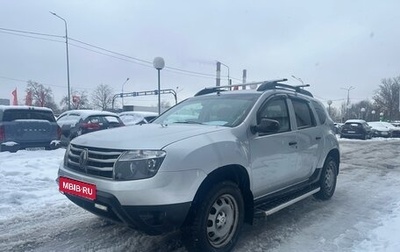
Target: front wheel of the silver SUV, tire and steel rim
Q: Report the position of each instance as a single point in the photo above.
(217, 220)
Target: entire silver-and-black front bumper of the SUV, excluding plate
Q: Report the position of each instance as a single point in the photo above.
(156, 205)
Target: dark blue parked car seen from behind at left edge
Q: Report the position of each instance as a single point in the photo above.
(28, 127)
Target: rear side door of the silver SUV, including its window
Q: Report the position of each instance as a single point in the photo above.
(309, 138)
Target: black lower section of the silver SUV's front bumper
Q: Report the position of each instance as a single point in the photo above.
(152, 220)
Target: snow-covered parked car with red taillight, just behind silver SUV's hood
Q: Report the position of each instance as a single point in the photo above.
(74, 123)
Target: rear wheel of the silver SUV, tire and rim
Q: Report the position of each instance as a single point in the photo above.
(328, 179)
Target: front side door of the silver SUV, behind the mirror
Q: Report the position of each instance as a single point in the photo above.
(274, 155)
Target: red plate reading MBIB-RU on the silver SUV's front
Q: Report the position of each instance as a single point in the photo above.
(78, 188)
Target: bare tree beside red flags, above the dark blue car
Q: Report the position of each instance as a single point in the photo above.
(40, 96)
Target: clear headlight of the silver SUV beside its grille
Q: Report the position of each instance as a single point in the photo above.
(138, 164)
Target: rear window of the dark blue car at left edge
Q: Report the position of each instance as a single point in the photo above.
(18, 114)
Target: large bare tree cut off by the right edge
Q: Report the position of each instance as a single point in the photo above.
(387, 98)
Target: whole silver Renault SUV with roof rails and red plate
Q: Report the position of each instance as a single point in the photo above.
(207, 165)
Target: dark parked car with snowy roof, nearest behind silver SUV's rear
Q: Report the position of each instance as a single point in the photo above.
(356, 128)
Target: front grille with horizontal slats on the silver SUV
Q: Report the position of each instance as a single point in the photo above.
(99, 162)
